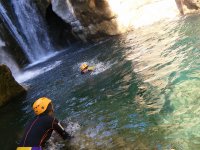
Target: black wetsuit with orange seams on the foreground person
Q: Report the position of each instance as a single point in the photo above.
(39, 130)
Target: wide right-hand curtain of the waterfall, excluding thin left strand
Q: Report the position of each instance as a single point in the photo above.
(33, 28)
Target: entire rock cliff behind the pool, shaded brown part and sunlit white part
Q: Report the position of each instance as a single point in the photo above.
(96, 18)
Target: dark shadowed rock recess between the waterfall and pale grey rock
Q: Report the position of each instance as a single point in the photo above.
(60, 31)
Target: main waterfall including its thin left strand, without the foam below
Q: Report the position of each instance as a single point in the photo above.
(29, 29)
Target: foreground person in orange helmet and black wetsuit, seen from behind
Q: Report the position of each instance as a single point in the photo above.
(39, 130)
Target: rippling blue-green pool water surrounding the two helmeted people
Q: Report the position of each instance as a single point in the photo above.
(144, 94)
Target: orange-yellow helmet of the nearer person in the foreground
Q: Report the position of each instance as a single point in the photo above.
(40, 105)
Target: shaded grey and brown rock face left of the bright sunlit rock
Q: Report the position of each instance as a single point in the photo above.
(87, 17)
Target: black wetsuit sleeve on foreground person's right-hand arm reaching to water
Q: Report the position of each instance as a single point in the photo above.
(60, 130)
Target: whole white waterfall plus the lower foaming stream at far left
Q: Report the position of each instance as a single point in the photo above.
(29, 30)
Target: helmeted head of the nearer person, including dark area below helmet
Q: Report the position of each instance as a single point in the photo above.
(43, 105)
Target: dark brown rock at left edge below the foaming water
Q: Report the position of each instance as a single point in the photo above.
(9, 88)
